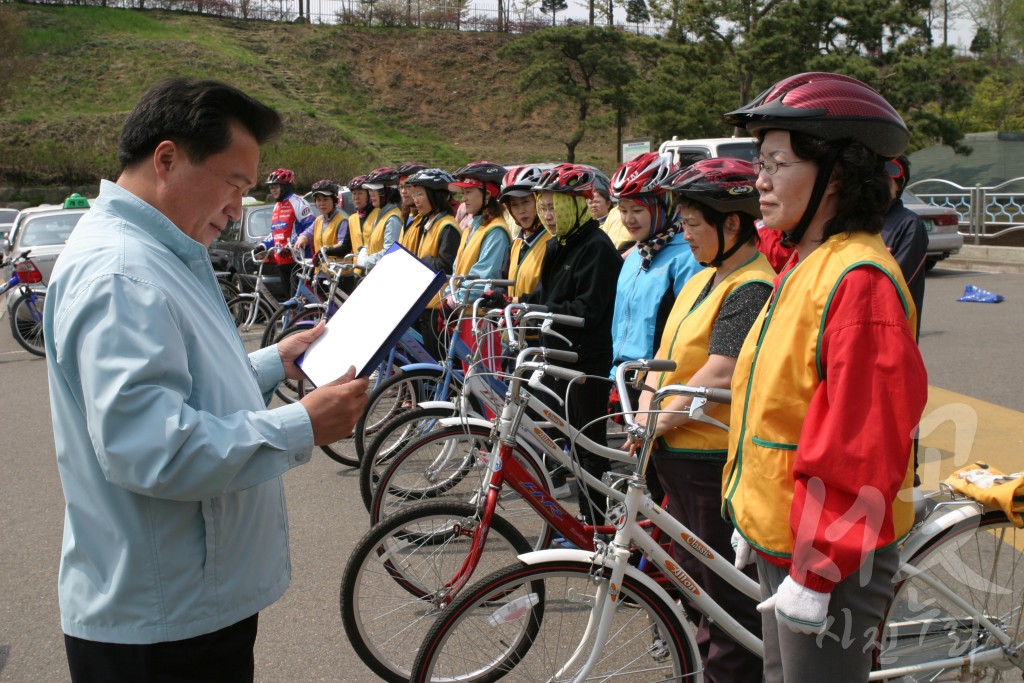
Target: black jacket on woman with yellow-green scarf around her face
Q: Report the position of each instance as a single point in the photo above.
(579, 279)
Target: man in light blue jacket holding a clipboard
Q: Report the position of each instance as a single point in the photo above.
(176, 529)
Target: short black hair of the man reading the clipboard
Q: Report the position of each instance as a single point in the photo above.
(195, 115)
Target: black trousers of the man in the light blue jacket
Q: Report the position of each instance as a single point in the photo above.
(222, 657)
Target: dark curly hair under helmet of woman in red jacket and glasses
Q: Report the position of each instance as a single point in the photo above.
(864, 196)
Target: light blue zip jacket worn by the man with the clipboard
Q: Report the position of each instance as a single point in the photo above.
(176, 523)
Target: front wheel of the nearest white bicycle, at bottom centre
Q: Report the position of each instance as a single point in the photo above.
(550, 605)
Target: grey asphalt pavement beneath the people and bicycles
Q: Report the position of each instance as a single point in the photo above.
(971, 351)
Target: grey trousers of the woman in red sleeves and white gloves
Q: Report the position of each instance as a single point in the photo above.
(845, 653)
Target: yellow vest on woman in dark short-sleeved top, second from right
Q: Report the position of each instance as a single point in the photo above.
(686, 340)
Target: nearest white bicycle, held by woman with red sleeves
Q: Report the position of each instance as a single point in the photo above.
(576, 615)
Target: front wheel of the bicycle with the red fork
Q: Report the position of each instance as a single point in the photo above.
(401, 567)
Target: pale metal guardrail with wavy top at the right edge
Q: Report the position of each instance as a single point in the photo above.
(986, 212)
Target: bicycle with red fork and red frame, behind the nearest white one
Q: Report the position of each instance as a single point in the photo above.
(413, 564)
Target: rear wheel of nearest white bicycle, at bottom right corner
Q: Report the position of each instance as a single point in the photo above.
(984, 557)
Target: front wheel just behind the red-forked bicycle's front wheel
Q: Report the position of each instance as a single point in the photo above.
(451, 463)
